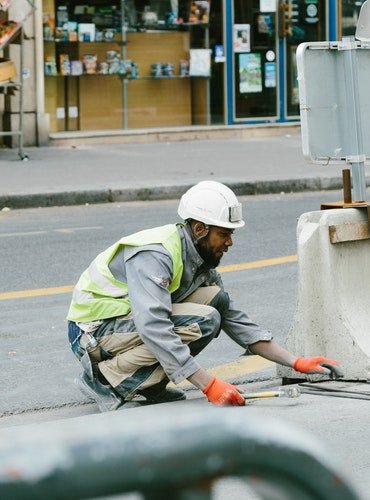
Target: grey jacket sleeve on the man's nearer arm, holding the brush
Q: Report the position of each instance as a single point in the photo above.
(149, 274)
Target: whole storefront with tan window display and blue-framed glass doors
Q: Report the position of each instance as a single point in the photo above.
(134, 64)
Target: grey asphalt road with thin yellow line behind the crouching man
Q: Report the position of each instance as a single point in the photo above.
(45, 250)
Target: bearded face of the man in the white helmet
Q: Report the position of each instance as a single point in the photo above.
(212, 247)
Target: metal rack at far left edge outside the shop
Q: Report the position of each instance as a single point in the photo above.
(16, 29)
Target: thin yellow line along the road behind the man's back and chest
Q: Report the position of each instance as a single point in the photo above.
(223, 269)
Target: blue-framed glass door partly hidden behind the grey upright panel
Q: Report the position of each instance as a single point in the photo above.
(299, 21)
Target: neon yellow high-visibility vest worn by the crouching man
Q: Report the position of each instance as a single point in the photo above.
(98, 295)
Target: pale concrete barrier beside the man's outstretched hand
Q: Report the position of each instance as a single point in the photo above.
(332, 315)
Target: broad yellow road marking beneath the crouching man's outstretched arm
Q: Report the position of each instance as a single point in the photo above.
(247, 364)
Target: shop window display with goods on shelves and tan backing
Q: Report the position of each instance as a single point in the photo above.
(92, 51)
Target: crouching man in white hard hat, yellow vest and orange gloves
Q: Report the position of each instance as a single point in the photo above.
(147, 305)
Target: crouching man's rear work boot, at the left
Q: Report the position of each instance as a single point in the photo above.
(104, 395)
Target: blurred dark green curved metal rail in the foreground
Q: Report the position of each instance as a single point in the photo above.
(167, 451)
